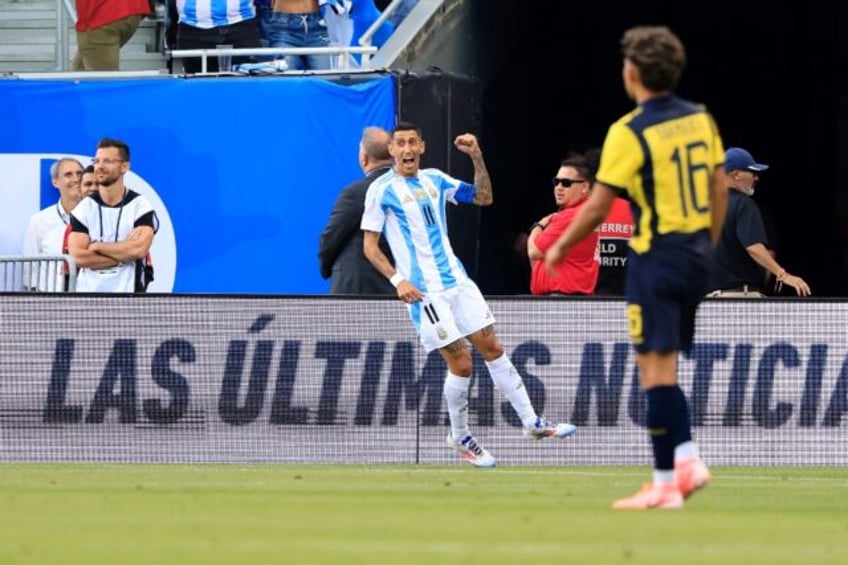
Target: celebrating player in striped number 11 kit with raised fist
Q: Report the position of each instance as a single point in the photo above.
(445, 306)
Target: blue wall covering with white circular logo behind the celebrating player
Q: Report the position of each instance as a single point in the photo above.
(243, 171)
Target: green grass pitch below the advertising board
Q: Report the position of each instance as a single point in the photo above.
(210, 514)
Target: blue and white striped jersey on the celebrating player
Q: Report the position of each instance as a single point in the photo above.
(410, 212)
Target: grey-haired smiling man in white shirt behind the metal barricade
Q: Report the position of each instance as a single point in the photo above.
(46, 229)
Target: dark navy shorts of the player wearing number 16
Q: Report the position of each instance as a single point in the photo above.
(664, 288)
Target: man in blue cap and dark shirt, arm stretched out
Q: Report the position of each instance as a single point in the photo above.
(741, 252)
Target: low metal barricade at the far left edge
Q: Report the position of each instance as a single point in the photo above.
(38, 273)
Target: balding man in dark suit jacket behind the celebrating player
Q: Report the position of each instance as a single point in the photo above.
(340, 245)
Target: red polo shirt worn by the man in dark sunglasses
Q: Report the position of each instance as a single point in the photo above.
(578, 272)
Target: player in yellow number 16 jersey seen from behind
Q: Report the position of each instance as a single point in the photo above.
(665, 157)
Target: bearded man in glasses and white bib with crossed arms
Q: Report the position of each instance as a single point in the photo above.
(111, 230)
